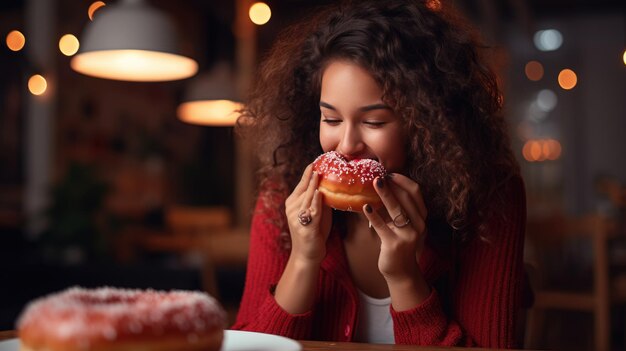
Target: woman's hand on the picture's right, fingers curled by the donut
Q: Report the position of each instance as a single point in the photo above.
(401, 226)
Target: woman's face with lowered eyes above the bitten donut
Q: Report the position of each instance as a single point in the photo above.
(355, 121)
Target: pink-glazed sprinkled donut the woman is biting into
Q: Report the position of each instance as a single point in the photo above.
(347, 184)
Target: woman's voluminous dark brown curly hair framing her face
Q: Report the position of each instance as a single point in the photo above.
(427, 61)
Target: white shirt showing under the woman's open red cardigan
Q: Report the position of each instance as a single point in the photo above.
(374, 323)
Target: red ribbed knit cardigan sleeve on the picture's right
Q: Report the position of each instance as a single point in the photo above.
(486, 295)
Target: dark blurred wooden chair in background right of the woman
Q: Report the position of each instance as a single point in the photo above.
(547, 236)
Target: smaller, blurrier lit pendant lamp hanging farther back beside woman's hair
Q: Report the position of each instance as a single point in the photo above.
(211, 98)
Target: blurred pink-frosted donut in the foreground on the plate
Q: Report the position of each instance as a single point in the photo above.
(122, 320)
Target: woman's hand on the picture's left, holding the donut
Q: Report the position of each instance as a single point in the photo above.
(308, 242)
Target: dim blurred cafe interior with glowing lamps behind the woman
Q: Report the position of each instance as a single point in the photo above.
(113, 173)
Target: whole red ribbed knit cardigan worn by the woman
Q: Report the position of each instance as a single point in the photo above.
(484, 295)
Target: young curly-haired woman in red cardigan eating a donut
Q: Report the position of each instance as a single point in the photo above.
(403, 83)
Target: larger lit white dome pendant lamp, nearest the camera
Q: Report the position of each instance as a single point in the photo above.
(132, 41)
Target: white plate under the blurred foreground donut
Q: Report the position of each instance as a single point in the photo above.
(234, 340)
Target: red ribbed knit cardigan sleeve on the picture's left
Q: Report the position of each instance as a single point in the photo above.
(259, 311)
